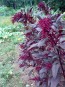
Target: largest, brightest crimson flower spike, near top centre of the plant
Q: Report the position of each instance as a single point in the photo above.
(45, 24)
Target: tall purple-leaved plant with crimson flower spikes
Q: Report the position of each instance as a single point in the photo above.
(44, 47)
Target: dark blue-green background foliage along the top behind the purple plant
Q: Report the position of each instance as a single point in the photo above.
(55, 4)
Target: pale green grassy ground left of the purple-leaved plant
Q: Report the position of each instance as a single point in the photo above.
(10, 37)
